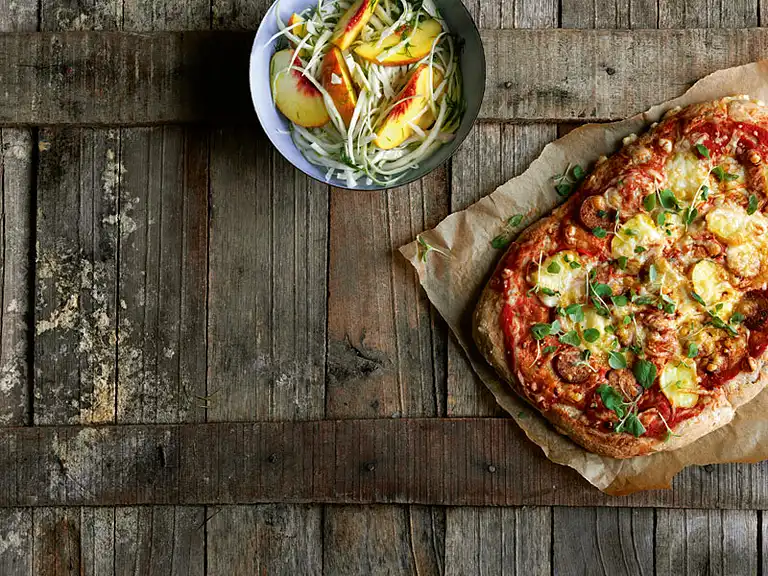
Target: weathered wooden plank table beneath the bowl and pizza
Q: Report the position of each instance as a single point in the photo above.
(210, 364)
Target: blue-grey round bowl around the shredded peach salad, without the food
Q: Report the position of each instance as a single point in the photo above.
(472, 59)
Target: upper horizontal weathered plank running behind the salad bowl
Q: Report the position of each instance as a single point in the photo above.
(555, 75)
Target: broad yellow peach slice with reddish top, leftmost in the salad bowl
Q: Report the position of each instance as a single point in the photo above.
(295, 96)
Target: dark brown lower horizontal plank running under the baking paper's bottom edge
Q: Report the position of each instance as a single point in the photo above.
(461, 462)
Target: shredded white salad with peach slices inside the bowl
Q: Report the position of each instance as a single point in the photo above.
(371, 87)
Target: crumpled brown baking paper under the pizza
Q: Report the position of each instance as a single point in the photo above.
(454, 283)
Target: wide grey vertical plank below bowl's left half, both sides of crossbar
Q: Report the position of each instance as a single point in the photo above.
(267, 323)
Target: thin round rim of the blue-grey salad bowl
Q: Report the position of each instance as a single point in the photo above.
(456, 143)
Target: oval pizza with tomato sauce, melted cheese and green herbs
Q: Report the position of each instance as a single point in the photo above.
(635, 317)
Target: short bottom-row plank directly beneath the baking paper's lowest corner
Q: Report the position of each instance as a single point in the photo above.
(589, 541)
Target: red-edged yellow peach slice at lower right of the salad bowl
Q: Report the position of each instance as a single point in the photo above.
(411, 101)
